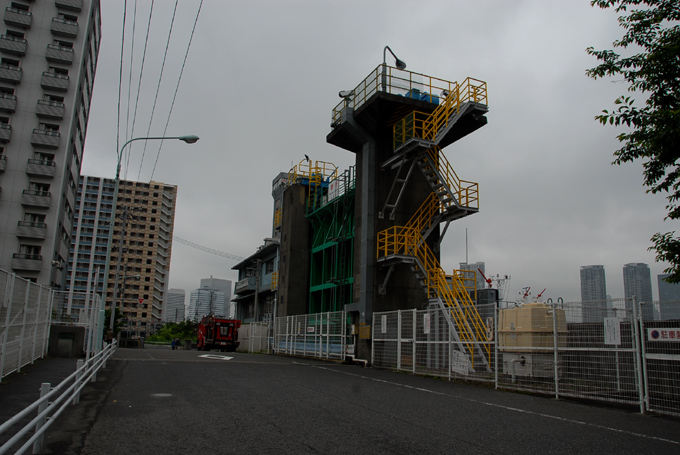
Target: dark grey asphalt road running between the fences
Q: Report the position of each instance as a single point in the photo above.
(158, 401)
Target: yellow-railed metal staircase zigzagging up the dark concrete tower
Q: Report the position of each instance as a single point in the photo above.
(418, 134)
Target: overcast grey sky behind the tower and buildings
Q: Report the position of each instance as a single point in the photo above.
(260, 83)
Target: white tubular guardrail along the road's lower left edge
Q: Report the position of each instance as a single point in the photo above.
(52, 403)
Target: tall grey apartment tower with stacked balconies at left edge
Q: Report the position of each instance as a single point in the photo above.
(48, 57)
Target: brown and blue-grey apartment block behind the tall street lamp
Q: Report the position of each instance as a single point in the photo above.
(140, 265)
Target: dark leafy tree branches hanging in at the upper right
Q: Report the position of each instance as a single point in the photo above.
(651, 67)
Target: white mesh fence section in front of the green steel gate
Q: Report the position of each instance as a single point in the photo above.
(321, 335)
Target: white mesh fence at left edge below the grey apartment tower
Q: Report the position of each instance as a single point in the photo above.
(24, 322)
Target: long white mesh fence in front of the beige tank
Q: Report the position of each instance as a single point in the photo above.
(612, 351)
